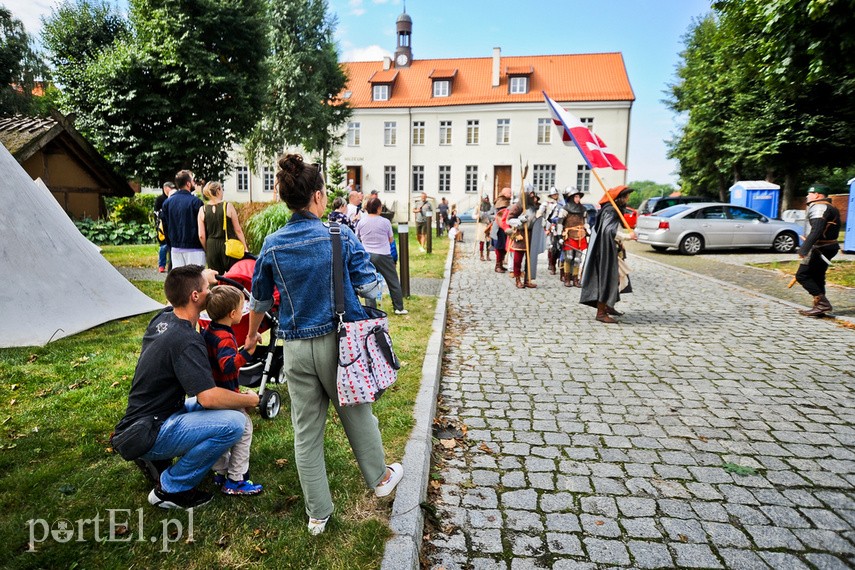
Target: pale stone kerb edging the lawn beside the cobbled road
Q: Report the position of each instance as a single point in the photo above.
(407, 520)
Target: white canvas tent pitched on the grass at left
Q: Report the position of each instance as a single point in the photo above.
(54, 282)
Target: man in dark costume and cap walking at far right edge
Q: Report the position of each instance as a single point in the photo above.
(819, 247)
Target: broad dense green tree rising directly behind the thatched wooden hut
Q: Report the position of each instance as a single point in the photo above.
(175, 86)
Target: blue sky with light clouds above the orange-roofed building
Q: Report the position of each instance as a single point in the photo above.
(648, 32)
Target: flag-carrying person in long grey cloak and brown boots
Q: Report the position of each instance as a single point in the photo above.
(603, 280)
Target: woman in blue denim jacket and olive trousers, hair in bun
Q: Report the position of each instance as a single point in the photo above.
(297, 260)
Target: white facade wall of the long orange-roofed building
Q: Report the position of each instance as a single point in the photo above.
(374, 156)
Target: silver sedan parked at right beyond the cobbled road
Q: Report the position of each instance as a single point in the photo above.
(692, 228)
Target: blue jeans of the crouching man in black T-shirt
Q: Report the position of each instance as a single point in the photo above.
(199, 437)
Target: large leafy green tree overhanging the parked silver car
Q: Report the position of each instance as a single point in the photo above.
(765, 86)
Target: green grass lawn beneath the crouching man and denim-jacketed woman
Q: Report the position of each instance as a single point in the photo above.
(58, 405)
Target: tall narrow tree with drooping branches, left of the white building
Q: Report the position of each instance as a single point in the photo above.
(303, 105)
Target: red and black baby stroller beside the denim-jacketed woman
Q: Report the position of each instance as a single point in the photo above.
(266, 364)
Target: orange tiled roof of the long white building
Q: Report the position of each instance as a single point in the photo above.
(565, 78)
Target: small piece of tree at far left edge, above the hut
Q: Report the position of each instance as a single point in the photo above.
(20, 66)
